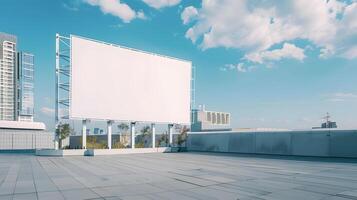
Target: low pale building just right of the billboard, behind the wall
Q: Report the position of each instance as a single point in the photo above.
(203, 120)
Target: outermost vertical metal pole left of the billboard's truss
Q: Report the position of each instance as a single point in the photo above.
(57, 88)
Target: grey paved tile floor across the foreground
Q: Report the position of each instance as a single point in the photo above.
(176, 176)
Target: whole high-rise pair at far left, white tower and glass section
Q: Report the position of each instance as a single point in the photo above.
(16, 81)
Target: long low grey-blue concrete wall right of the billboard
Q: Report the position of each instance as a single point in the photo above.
(324, 143)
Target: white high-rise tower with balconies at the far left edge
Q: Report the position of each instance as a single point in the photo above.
(7, 77)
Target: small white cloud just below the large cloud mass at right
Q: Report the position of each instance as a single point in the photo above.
(287, 51)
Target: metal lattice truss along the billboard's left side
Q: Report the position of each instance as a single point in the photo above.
(63, 74)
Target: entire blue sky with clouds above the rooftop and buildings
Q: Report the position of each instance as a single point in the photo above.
(279, 66)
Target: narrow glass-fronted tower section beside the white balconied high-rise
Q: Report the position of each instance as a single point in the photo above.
(26, 85)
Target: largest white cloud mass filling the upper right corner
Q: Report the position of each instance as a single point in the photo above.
(257, 26)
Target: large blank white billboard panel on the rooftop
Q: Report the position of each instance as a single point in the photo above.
(109, 82)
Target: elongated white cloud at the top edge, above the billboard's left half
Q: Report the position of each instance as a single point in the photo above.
(116, 8)
